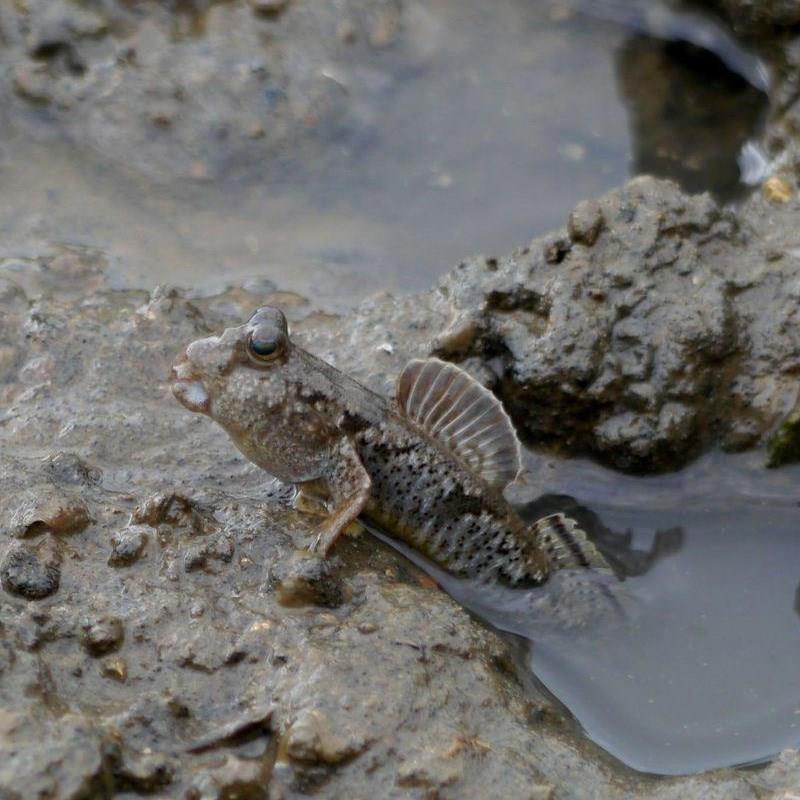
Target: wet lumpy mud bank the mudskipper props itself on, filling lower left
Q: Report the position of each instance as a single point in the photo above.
(188, 650)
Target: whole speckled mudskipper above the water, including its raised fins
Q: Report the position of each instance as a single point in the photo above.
(428, 466)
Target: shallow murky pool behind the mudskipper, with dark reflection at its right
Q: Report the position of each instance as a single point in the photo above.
(520, 110)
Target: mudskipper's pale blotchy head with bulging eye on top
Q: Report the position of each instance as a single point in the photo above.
(239, 376)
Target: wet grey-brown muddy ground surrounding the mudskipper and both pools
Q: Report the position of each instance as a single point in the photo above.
(162, 632)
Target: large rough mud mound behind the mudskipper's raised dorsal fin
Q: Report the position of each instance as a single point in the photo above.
(653, 327)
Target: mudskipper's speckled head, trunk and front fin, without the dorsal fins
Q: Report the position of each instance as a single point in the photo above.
(305, 422)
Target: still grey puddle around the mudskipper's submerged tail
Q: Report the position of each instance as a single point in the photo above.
(690, 661)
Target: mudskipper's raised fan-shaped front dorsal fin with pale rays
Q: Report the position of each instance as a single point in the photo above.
(451, 406)
